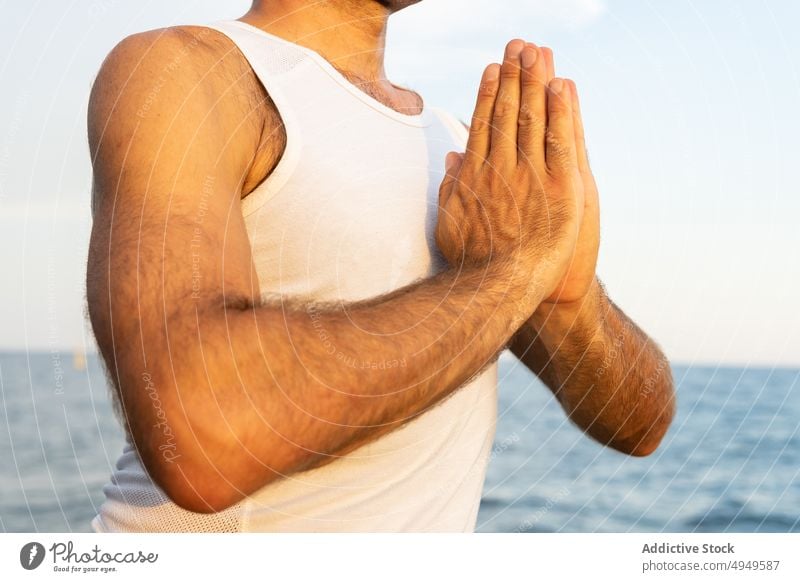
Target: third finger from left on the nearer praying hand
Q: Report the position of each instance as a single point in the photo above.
(533, 111)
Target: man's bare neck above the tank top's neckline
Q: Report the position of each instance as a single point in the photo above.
(350, 34)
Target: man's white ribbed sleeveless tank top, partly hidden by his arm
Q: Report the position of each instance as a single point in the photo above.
(348, 213)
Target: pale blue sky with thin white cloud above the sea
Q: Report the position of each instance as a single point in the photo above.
(692, 126)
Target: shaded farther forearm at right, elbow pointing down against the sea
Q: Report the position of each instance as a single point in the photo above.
(609, 376)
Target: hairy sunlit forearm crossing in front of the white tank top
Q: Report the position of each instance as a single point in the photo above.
(262, 392)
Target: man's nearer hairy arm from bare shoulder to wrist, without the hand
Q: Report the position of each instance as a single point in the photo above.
(222, 391)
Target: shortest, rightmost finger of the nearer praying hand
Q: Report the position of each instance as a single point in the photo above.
(560, 139)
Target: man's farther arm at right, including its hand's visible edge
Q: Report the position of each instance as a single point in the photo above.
(612, 380)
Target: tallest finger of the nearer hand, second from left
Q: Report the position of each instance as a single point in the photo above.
(506, 108)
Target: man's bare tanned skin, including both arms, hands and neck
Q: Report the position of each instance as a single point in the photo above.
(180, 128)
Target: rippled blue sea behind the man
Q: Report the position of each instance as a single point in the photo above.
(729, 463)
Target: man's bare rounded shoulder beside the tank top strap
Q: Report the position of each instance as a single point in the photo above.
(183, 77)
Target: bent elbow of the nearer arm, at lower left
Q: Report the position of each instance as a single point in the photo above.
(204, 456)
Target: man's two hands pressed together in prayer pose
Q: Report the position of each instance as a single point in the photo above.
(522, 194)
